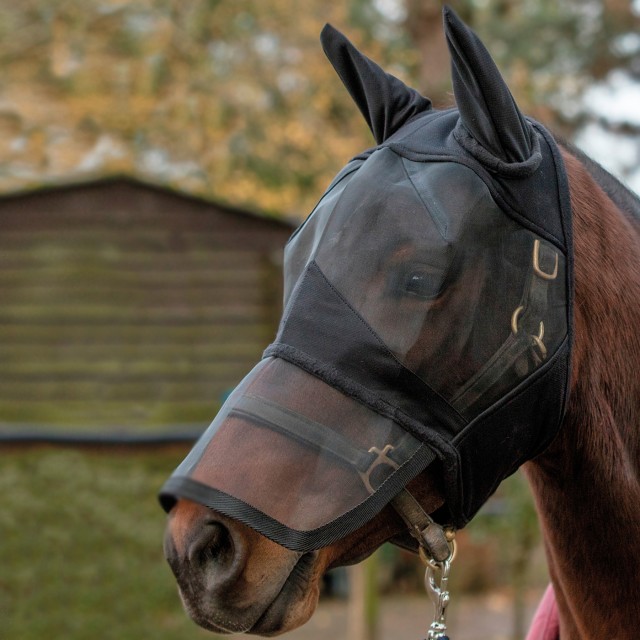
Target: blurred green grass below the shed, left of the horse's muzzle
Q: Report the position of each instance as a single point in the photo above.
(81, 547)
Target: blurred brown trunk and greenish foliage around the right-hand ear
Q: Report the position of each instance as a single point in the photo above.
(550, 52)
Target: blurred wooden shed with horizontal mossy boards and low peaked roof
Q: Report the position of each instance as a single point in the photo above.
(129, 305)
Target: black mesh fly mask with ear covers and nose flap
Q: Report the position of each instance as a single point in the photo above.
(427, 318)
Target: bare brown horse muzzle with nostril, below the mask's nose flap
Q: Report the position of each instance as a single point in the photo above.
(233, 580)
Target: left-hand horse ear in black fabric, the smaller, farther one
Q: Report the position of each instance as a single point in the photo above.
(385, 102)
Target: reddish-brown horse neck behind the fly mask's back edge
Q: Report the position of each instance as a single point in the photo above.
(587, 484)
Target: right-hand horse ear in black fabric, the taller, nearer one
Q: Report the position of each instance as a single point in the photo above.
(487, 108)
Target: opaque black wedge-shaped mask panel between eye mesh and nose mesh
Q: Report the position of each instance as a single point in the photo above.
(341, 343)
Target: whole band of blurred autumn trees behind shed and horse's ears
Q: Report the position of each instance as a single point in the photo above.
(235, 101)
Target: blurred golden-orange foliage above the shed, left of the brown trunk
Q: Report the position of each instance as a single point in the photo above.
(232, 100)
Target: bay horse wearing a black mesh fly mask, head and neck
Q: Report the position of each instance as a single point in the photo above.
(467, 376)
